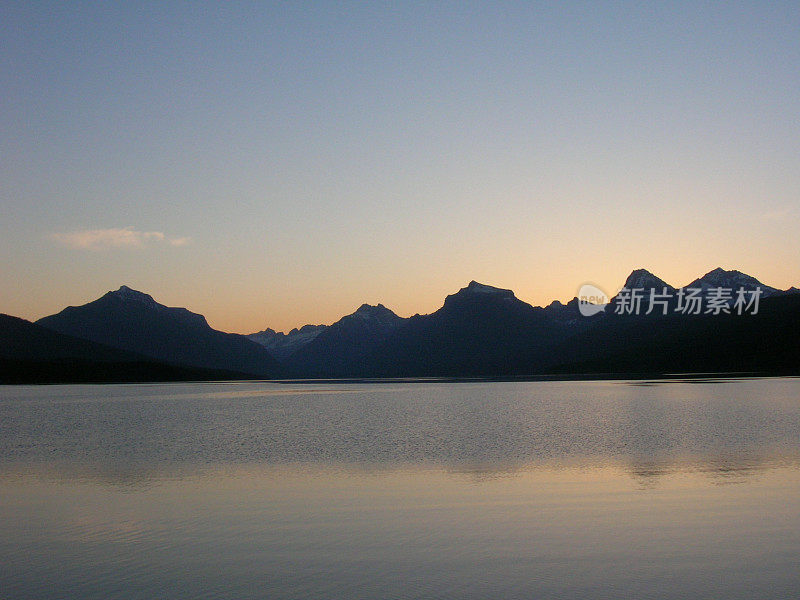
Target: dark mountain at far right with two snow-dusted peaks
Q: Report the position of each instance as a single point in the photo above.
(675, 342)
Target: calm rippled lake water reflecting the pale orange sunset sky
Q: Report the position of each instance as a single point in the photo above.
(401, 490)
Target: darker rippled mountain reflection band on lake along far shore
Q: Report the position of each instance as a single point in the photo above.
(137, 435)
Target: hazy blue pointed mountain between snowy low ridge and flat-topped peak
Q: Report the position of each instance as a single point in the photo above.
(336, 349)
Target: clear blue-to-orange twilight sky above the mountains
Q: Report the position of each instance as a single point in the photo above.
(277, 164)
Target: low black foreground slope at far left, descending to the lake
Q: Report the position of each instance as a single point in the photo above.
(30, 353)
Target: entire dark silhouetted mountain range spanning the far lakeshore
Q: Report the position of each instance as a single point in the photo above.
(480, 331)
